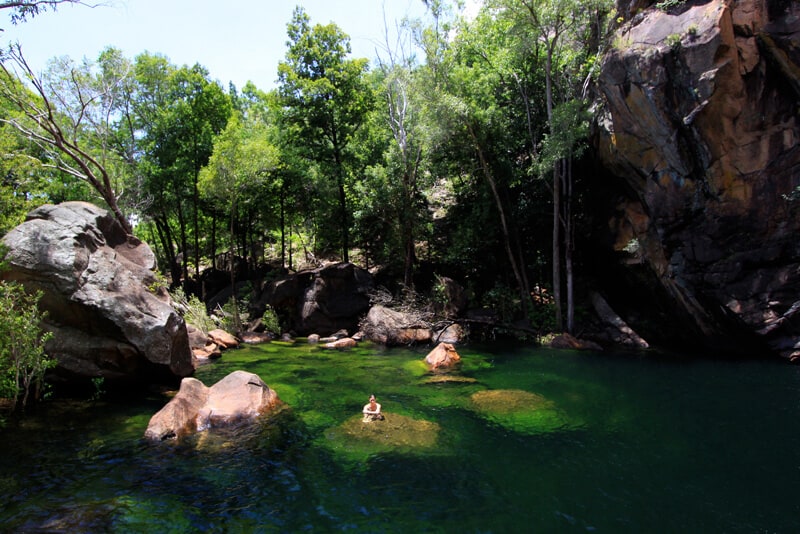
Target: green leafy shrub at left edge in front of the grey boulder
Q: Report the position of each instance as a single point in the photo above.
(23, 362)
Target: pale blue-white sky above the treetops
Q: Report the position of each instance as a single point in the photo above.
(242, 41)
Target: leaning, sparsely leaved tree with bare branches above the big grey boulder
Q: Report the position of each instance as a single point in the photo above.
(68, 116)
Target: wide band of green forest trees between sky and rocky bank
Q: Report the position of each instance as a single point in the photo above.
(423, 160)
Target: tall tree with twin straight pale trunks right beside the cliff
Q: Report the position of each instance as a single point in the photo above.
(553, 34)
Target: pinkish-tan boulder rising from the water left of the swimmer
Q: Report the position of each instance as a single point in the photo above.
(239, 398)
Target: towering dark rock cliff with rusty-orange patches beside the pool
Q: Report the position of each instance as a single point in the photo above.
(699, 121)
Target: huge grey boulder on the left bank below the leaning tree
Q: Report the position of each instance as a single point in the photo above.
(95, 281)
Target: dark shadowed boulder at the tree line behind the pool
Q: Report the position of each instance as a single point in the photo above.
(324, 300)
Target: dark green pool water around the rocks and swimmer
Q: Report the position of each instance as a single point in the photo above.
(608, 443)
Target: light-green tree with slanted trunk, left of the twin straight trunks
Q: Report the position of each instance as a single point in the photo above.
(469, 110)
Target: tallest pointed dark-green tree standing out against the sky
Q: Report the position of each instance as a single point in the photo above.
(326, 99)
